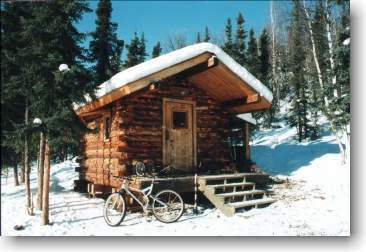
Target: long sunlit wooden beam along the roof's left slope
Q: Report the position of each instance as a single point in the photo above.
(141, 83)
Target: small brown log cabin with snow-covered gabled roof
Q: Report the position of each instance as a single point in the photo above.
(186, 108)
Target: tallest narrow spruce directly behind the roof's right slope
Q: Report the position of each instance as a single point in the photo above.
(239, 48)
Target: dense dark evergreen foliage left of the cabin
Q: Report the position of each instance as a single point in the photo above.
(33, 79)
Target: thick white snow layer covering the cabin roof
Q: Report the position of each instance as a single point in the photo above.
(167, 60)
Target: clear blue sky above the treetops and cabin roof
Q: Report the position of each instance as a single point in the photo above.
(159, 19)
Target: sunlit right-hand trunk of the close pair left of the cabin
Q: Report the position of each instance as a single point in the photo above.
(46, 185)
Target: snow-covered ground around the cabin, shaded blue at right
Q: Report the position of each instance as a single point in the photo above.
(315, 201)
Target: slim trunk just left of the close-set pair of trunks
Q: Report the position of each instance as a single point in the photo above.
(29, 204)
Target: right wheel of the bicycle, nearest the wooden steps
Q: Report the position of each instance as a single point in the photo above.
(168, 206)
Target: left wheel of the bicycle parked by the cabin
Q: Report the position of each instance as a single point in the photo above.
(114, 209)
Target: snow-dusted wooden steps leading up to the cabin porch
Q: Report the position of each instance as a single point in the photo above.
(230, 192)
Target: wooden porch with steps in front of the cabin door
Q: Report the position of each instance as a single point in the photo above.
(227, 192)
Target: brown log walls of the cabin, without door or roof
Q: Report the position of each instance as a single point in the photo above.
(136, 131)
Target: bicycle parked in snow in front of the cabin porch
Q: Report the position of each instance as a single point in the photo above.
(167, 205)
